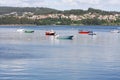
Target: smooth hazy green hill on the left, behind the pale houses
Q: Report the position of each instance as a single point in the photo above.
(21, 10)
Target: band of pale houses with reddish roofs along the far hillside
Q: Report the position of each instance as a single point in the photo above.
(73, 17)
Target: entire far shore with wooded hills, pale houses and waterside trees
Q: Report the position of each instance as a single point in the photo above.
(47, 16)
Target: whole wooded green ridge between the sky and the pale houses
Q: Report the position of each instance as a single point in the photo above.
(43, 10)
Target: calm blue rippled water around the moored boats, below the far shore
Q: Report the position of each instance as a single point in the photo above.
(26, 56)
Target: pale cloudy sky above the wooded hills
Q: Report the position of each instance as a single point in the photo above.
(108, 5)
